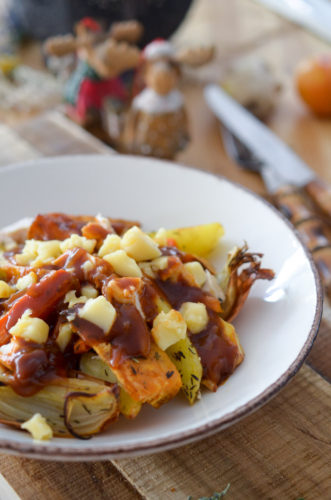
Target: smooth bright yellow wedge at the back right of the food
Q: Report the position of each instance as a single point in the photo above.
(198, 240)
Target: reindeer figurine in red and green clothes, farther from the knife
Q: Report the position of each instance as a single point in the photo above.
(102, 57)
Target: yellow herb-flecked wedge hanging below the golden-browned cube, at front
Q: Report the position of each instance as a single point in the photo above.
(186, 359)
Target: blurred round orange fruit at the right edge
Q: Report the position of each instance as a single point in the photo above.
(313, 80)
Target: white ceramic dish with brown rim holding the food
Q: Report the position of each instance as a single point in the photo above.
(277, 325)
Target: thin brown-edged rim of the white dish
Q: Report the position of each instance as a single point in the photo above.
(44, 451)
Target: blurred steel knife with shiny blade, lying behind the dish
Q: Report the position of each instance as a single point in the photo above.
(268, 147)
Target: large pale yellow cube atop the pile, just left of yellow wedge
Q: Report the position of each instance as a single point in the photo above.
(139, 245)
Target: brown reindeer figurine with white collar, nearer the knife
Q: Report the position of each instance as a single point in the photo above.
(156, 124)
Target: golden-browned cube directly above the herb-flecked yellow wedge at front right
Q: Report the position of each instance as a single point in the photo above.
(168, 328)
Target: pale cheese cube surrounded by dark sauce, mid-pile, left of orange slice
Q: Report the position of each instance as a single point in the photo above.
(100, 312)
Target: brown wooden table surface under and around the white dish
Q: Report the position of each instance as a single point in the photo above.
(283, 450)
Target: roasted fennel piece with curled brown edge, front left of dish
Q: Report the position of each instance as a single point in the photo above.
(72, 407)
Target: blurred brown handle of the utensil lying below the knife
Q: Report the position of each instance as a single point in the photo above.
(313, 230)
